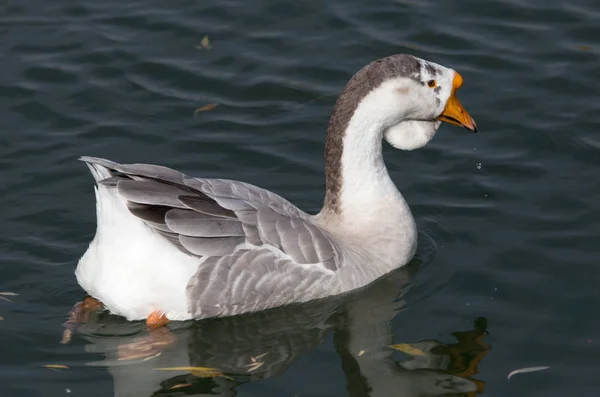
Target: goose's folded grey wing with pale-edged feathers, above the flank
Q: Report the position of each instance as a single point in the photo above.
(213, 217)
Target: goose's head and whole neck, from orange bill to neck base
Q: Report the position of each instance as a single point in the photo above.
(400, 98)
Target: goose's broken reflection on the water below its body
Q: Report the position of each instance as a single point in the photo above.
(256, 347)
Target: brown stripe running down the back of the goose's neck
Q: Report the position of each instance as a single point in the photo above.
(363, 82)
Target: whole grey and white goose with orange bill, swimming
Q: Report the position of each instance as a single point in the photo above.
(173, 247)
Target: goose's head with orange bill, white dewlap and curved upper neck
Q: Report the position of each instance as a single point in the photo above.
(404, 97)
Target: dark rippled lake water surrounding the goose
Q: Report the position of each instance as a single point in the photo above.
(506, 275)
